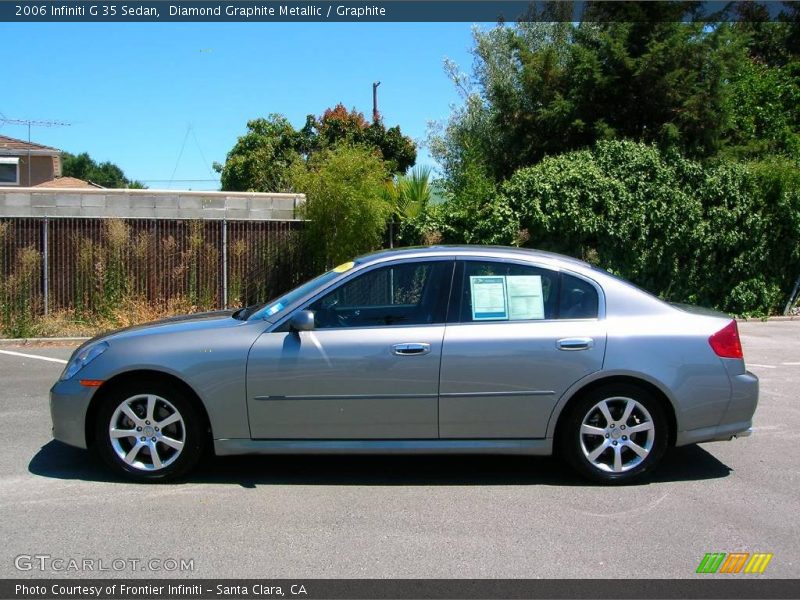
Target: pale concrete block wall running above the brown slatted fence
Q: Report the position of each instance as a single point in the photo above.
(148, 204)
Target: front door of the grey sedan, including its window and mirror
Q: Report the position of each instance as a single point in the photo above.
(370, 367)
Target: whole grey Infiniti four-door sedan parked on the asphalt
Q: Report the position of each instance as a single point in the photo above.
(420, 350)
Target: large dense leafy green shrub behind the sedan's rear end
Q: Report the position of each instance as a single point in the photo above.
(725, 235)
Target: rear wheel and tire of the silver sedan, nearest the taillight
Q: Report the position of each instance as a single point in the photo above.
(614, 451)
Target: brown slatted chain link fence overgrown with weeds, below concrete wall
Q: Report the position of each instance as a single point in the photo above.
(91, 266)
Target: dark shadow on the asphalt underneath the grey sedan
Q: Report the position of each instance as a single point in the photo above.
(690, 463)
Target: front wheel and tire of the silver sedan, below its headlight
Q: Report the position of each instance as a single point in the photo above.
(160, 434)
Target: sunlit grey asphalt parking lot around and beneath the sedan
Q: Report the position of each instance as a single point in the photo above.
(426, 517)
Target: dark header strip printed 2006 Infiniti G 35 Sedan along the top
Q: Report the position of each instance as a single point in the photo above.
(396, 11)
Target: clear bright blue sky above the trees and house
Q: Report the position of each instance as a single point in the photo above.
(132, 91)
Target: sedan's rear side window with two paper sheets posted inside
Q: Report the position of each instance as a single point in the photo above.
(500, 291)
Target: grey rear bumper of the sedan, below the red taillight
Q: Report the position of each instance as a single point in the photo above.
(738, 418)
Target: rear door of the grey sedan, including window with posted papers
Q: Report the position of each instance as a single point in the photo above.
(518, 337)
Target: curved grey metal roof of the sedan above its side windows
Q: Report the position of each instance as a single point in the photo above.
(470, 250)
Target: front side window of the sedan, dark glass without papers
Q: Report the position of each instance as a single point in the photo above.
(407, 294)
